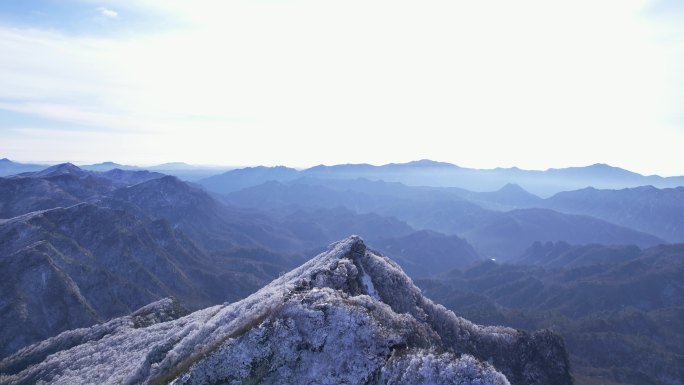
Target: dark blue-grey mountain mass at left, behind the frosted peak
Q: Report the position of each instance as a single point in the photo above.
(102, 244)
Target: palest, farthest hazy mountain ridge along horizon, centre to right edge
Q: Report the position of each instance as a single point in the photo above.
(436, 174)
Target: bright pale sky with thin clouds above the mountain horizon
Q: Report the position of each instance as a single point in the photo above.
(492, 83)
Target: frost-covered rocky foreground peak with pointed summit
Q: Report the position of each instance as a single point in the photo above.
(348, 316)
